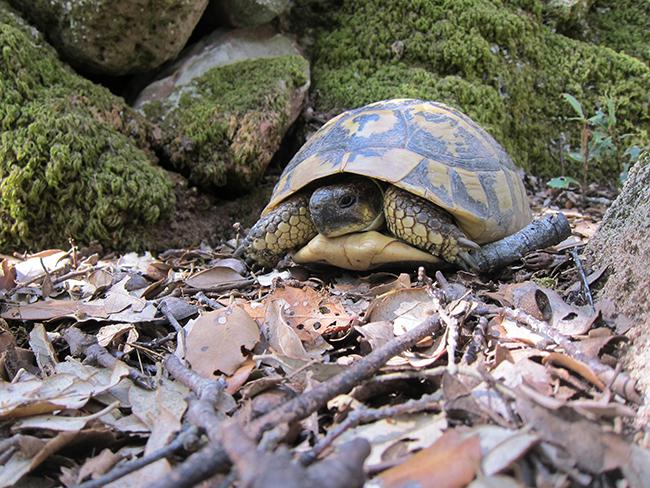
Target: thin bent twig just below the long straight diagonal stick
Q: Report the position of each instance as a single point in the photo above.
(363, 415)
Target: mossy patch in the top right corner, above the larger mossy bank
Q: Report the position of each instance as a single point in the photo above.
(623, 25)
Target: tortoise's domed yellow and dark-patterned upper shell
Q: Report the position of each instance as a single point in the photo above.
(426, 148)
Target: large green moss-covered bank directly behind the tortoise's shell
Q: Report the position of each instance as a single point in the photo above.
(494, 60)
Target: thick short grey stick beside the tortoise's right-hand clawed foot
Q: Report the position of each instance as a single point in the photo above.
(540, 233)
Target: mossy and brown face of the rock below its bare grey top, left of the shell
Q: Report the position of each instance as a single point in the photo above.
(227, 124)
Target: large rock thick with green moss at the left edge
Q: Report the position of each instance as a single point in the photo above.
(72, 156)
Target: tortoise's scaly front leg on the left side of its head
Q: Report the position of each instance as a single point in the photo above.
(286, 228)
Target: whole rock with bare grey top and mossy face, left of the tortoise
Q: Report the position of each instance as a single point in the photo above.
(226, 105)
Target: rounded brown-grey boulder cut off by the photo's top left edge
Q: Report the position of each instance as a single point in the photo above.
(115, 37)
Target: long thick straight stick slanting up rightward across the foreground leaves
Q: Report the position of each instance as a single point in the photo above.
(213, 458)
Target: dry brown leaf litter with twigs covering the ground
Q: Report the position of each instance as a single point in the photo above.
(169, 370)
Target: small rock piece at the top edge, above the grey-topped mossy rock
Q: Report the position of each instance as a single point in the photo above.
(248, 13)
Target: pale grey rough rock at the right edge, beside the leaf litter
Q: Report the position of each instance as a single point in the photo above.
(622, 243)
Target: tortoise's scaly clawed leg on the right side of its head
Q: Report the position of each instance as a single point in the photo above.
(420, 223)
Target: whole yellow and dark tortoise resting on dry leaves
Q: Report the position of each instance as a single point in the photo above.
(420, 170)
